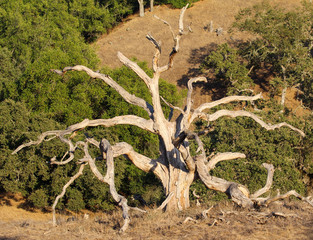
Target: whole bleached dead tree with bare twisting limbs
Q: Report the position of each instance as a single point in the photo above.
(175, 167)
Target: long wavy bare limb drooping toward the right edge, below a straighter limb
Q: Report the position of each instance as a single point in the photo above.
(222, 113)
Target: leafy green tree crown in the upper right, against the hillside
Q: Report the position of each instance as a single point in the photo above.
(283, 46)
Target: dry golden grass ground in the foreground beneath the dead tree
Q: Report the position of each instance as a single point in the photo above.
(288, 220)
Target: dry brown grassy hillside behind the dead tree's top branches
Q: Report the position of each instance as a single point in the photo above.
(129, 38)
